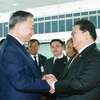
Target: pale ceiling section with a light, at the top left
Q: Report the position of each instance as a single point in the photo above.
(10, 5)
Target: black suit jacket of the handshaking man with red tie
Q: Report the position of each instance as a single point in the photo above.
(82, 80)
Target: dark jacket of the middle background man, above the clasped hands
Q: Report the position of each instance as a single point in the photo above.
(49, 67)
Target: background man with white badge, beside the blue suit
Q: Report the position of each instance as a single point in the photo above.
(33, 48)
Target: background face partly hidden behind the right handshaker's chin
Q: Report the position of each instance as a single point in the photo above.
(70, 51)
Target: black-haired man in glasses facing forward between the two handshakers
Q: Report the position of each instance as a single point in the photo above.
(58, 61)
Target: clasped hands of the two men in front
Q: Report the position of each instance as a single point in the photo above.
(51, 79)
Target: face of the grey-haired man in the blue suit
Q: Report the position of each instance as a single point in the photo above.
(26, 29)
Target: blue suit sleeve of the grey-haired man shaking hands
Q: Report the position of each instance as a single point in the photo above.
(19, 75)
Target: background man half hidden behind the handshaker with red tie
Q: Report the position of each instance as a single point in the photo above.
(60, 64)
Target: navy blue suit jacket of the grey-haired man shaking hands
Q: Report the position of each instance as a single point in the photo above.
(20, 79)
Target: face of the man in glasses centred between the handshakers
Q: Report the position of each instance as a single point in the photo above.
(56, 48)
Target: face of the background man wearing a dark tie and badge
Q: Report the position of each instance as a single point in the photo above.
(33, 48)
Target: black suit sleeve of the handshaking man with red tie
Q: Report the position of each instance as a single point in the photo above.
(86, 80)
